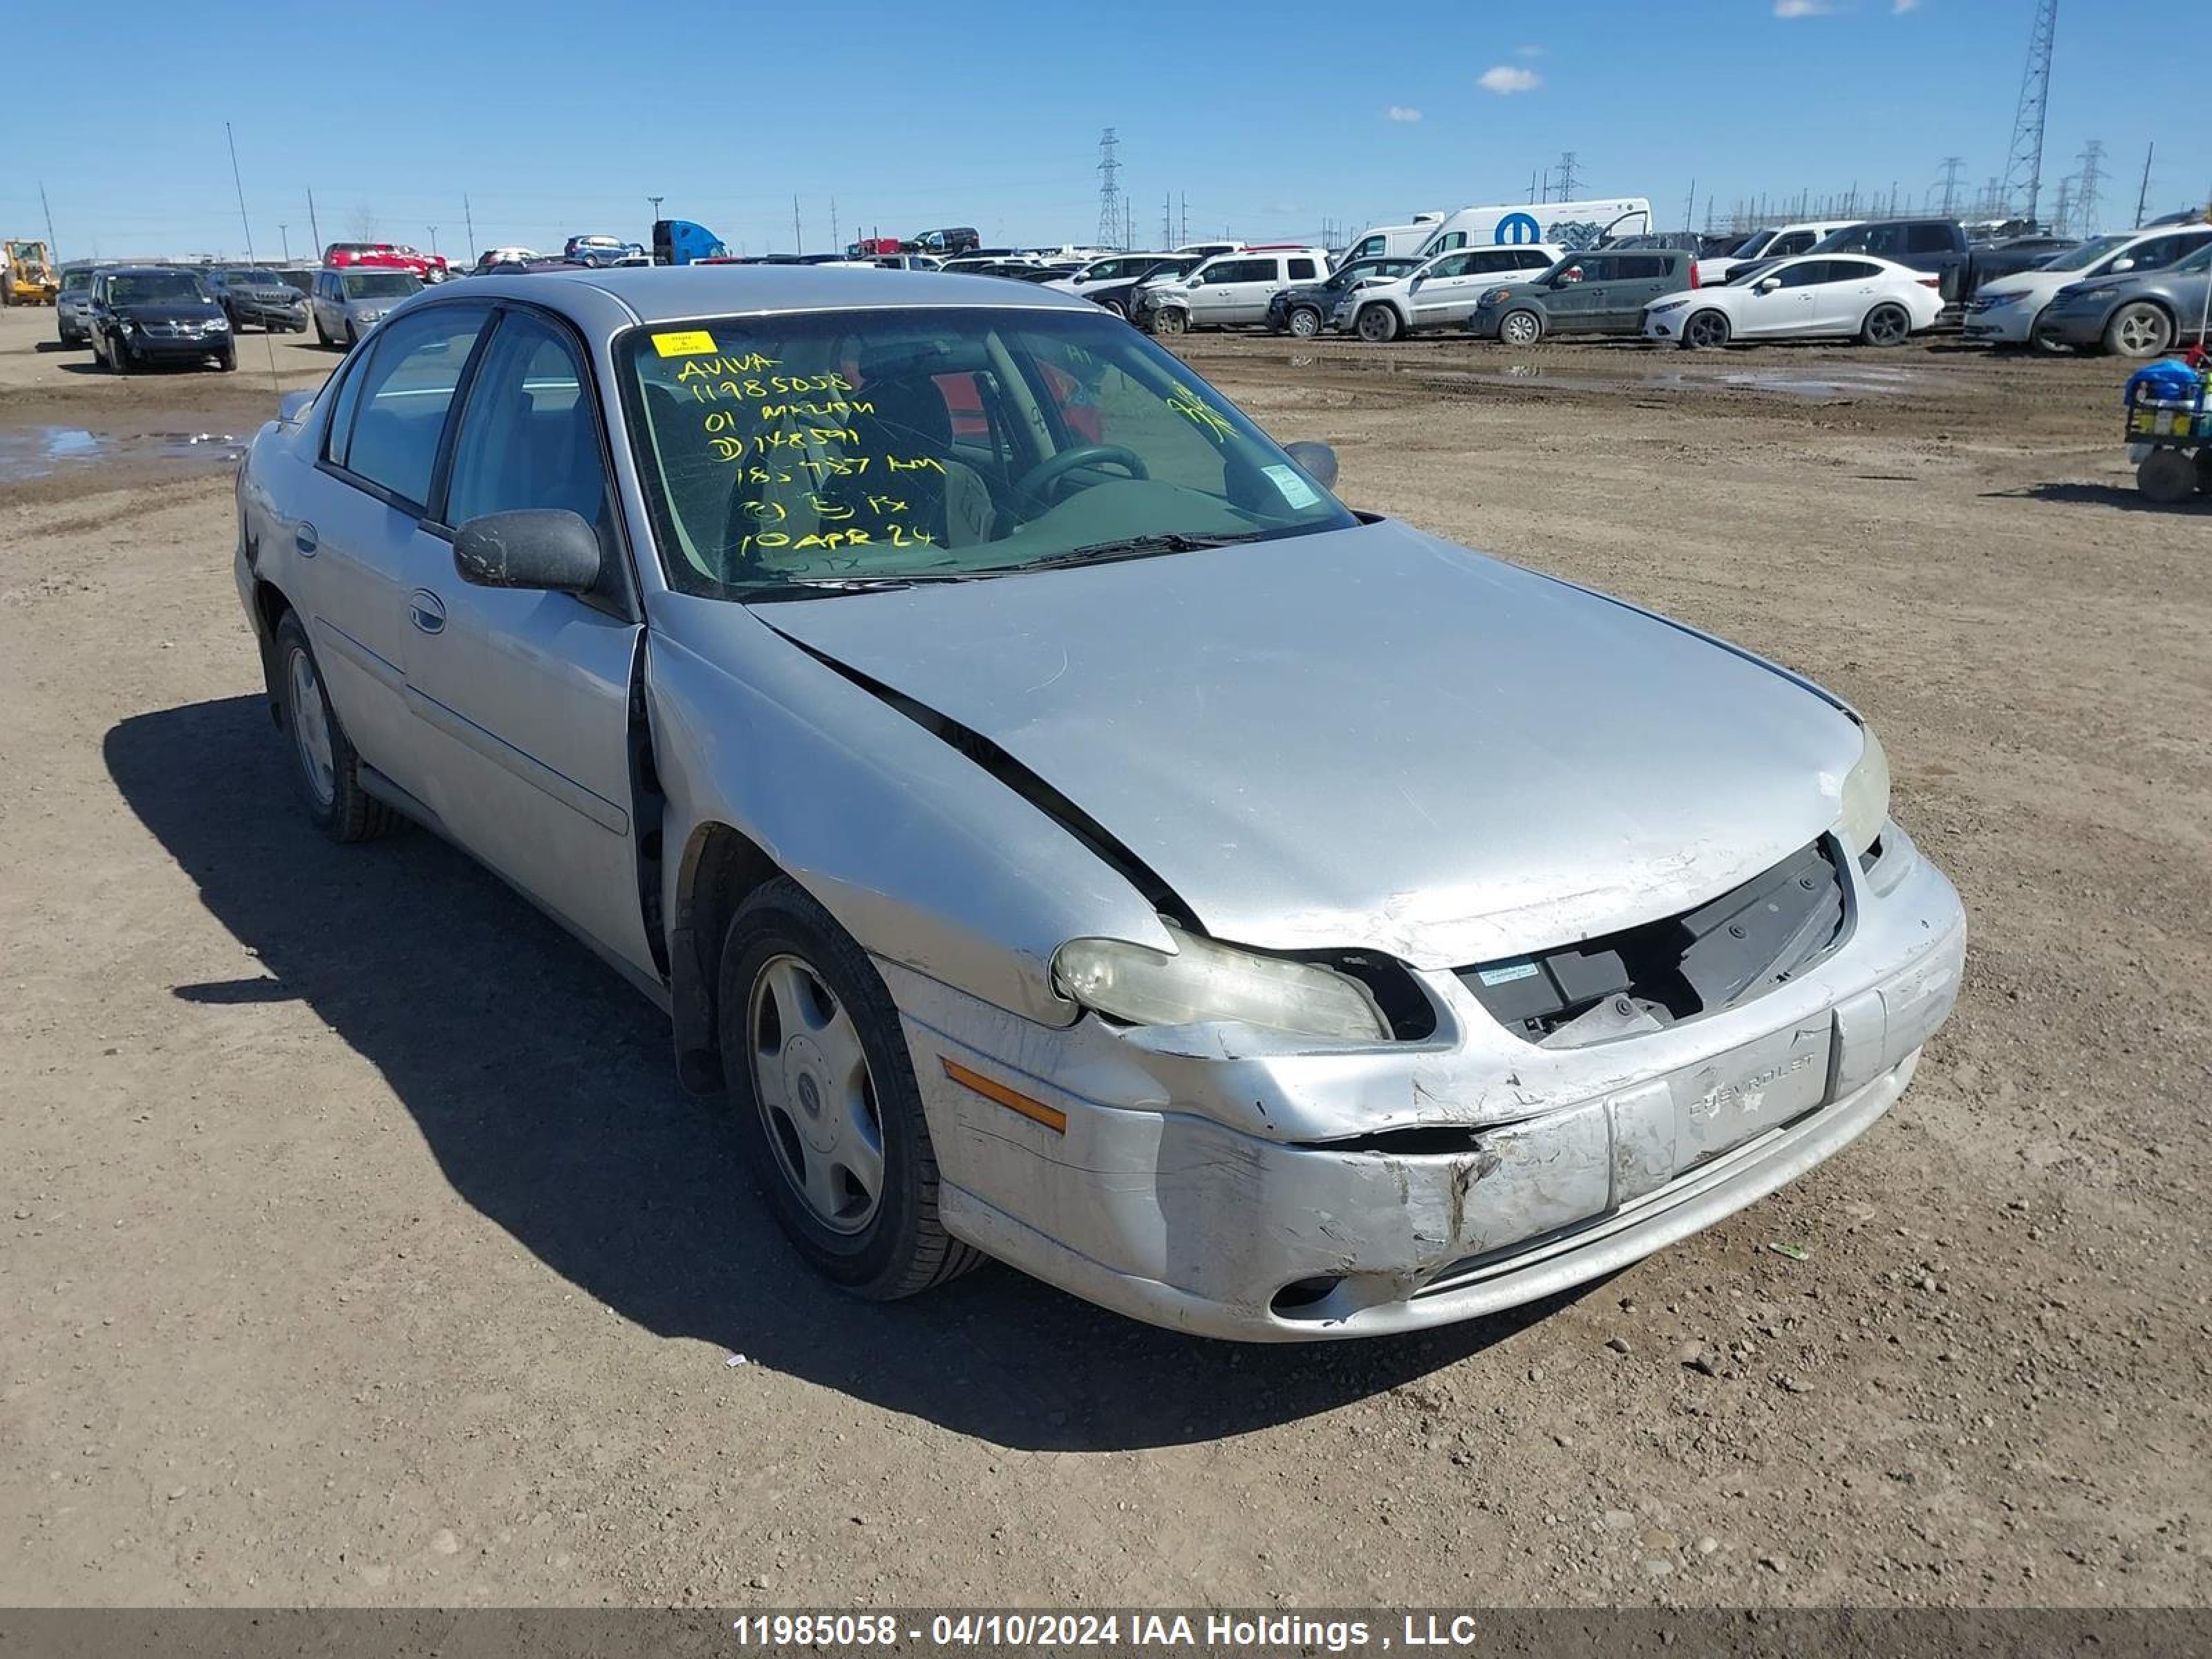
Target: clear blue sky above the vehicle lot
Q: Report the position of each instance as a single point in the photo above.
(1271, 121)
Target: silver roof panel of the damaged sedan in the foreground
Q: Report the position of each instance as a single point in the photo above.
(616, 298)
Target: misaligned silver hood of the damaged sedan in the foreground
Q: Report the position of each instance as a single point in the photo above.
(1370, 738)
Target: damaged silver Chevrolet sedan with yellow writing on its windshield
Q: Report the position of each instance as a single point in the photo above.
(1067, 833)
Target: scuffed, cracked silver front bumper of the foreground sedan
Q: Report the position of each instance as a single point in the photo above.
(1231, 1185)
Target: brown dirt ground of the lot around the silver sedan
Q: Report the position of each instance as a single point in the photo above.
(362, 1249)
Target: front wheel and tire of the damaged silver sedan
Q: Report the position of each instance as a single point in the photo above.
(826, 1105)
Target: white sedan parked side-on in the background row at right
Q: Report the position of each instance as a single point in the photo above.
(1848, 298)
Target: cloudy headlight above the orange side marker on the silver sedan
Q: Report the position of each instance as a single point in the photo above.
(1204, 981)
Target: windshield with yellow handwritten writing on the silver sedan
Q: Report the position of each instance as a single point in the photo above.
(912, 446)
